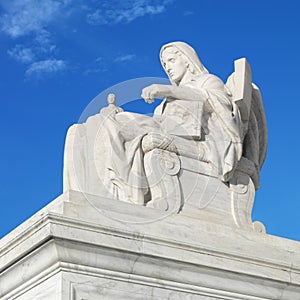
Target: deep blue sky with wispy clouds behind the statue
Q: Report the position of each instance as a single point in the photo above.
(57, 55)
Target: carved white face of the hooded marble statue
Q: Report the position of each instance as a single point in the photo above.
(174, 65)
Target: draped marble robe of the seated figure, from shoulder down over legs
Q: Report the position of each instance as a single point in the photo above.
(104, 155)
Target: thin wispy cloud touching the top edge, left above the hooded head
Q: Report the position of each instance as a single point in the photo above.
(113, 12)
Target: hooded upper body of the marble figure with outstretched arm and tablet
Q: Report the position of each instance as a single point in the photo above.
(198, 107)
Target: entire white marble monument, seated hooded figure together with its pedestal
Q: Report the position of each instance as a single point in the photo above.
(159, 207)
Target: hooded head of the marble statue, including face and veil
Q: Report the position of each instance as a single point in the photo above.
(180, 62)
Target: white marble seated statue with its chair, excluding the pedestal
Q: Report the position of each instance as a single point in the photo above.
(200, 154)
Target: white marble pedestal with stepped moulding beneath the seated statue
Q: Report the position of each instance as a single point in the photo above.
(89, 248)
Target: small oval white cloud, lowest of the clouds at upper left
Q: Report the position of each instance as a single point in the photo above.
(47, 66)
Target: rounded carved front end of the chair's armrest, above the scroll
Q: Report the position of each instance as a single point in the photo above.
(155, 140)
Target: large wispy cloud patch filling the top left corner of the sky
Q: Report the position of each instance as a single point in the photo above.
(32, 19)
